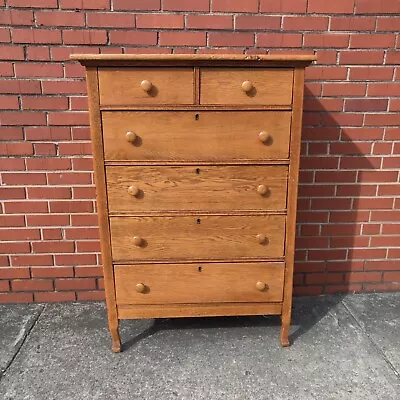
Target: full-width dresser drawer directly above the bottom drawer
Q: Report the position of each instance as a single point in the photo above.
(197, 237)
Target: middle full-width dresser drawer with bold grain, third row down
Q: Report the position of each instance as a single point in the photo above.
(211, 188)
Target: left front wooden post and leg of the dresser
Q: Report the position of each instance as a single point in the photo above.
(102, 207)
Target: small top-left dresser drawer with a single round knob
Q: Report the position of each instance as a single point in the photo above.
(146, 86)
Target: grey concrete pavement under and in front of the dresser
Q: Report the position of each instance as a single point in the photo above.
(344, 347)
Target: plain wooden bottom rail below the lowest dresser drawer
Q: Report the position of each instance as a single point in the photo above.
(197, 310)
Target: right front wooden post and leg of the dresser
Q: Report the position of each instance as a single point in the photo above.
(298, 92)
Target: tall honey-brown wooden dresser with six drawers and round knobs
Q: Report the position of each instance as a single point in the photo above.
(196, 163)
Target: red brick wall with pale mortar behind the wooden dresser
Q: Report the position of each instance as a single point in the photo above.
(349, 206)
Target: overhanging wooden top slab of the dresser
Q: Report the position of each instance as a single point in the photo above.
(187, 59)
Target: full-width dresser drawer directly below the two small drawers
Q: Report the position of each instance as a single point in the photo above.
(202, 135)
